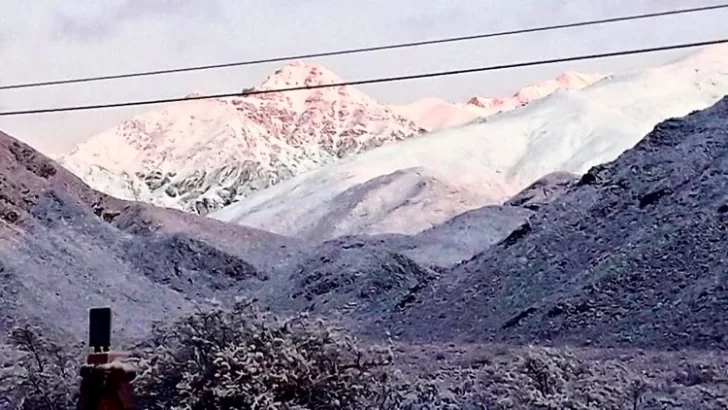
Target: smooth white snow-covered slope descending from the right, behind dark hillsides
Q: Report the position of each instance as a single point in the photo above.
(488, 161)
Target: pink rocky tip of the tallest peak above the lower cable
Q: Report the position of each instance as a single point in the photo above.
(300, 74)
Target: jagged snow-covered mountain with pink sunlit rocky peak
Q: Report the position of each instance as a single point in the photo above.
(202, 155)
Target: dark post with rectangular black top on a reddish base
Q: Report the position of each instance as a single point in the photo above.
(106, 376)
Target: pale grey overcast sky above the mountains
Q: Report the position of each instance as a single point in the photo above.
(57, 39)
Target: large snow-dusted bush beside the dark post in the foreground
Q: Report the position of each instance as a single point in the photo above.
(242, 358)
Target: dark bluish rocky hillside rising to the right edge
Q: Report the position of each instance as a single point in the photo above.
(632, 256)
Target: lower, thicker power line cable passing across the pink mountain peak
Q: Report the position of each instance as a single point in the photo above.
(369, 81)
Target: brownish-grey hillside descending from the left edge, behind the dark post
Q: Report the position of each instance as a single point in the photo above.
(65, 247)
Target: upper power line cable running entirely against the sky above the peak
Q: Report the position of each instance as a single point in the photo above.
(364, 49)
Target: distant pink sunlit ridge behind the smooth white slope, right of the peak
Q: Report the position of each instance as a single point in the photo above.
(435, 114)
